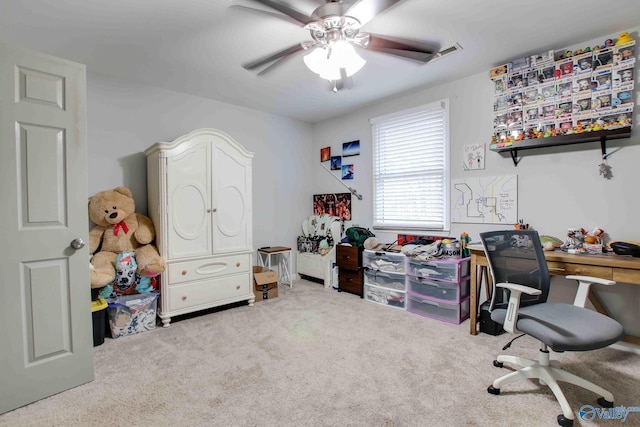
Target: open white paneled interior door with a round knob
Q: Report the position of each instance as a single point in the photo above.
(45, 317)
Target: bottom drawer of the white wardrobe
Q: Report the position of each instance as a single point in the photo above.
(206, 292)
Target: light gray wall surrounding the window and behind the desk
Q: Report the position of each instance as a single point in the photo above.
(559, 187)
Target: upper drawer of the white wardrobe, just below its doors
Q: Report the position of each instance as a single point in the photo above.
(186, 271)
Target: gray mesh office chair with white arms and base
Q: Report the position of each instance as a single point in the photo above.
(519, 303)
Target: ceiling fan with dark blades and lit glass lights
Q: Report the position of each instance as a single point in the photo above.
(335, 31)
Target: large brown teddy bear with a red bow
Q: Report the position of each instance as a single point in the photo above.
(120, 229)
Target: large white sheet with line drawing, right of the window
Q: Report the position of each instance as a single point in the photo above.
(485, 200)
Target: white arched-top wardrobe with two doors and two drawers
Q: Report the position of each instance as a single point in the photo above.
(199, 198)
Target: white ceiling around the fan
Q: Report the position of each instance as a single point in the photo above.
(198, 46)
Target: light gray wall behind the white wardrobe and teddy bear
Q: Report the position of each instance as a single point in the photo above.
(125, 118)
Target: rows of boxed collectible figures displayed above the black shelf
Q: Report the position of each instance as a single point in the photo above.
(547, 95)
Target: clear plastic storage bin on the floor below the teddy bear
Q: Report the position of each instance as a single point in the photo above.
(131, 314)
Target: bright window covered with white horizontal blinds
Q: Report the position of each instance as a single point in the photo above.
(410, 169)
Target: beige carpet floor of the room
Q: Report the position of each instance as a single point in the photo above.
(316, 357)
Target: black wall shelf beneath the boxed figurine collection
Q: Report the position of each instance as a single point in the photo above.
(554, 141)
